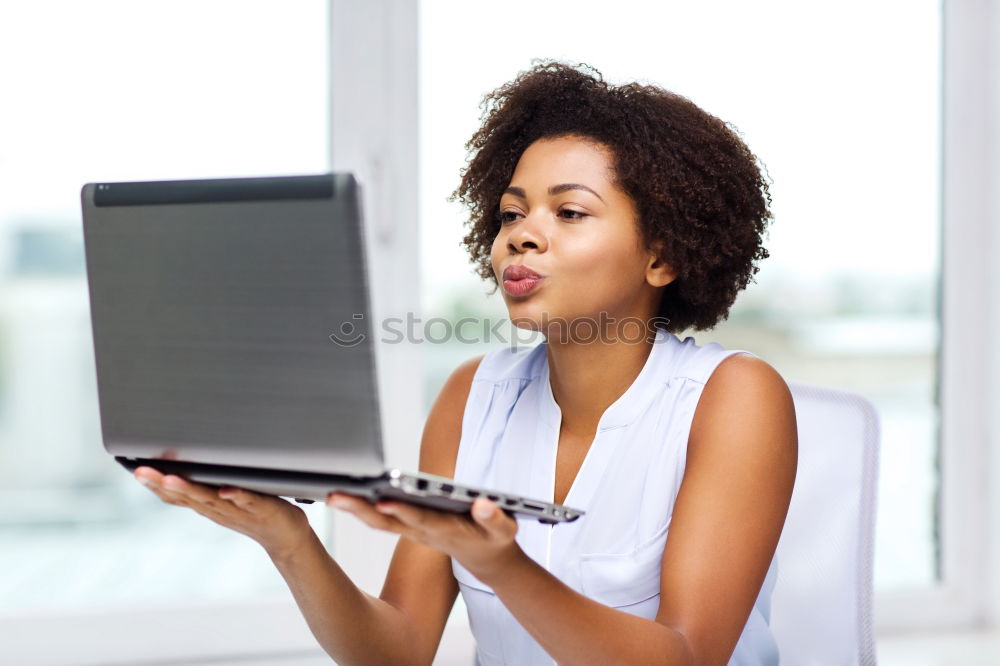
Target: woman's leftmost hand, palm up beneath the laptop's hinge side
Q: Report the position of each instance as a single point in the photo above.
(275, 523)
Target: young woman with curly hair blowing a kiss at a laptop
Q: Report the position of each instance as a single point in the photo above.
(613, 217)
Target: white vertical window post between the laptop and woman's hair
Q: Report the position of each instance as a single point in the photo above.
(375, 129)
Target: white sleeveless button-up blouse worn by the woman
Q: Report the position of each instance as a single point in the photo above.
(627, 485)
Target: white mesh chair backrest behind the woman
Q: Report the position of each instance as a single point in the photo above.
(821, 606)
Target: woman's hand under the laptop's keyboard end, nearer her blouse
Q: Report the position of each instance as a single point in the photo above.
(484, 544)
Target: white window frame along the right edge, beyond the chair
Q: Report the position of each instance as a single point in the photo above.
(960, 600)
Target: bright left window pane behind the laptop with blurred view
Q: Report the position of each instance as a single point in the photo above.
(106, 91)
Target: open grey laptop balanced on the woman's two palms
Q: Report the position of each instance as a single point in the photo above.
(233, 340)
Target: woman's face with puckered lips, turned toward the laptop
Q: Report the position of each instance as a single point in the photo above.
(562, 217)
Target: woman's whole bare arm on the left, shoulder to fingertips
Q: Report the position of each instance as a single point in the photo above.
(402, 626)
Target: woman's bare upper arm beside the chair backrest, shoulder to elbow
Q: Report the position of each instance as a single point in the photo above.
(742, 458)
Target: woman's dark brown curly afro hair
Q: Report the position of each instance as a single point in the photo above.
(696, 186)
